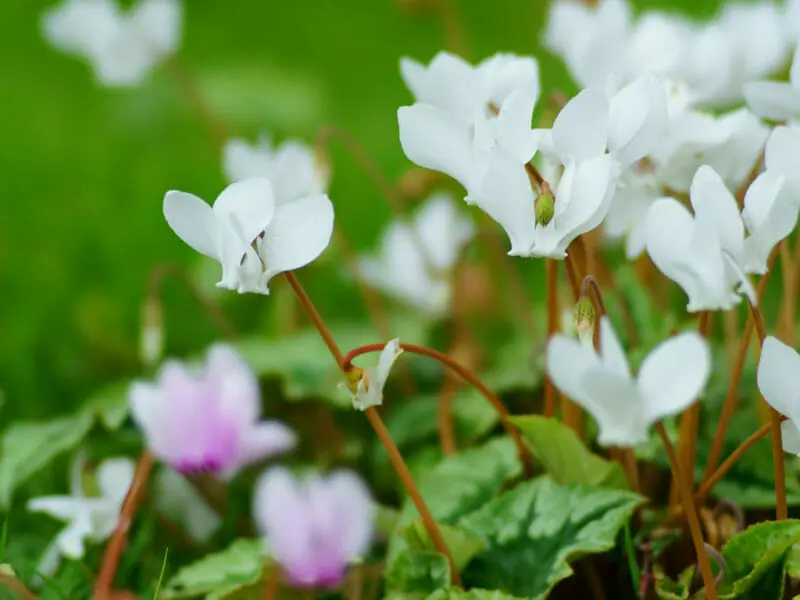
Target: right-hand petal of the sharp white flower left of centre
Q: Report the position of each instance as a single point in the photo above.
(300, 231)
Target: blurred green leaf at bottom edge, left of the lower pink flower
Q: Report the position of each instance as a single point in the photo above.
(219, 574)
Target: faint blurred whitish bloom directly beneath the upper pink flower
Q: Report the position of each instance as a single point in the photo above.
(180, 502)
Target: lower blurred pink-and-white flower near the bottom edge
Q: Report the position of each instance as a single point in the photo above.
(314, 526)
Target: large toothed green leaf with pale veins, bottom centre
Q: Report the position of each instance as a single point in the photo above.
(534, 530)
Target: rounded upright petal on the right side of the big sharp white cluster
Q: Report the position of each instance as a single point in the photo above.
(637, 119)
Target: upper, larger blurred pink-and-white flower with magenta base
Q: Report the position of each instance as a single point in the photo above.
(207, 422)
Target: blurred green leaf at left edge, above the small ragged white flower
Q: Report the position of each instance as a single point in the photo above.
(26, 448)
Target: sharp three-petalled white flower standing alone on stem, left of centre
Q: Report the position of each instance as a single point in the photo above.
(252, 236)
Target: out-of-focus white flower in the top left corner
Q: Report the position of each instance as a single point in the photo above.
(122, 46)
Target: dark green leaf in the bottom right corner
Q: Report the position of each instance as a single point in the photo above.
(756, 560)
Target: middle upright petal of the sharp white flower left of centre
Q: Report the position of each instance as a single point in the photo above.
(249, 204)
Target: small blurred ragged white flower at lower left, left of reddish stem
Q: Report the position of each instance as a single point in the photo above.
(88, 518)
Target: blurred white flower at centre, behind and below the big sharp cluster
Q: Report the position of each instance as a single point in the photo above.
(416, 259)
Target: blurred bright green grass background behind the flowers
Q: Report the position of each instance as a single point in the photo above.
(83, 170)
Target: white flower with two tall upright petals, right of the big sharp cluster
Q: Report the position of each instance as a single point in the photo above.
(704, 253)
